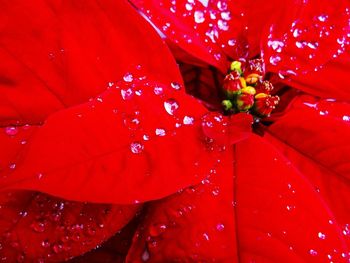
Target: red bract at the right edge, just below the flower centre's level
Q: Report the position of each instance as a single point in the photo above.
(323, 127)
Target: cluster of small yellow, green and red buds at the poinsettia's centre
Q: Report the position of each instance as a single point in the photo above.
(246, 90)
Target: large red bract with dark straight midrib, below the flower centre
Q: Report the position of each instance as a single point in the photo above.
(261, 209)
